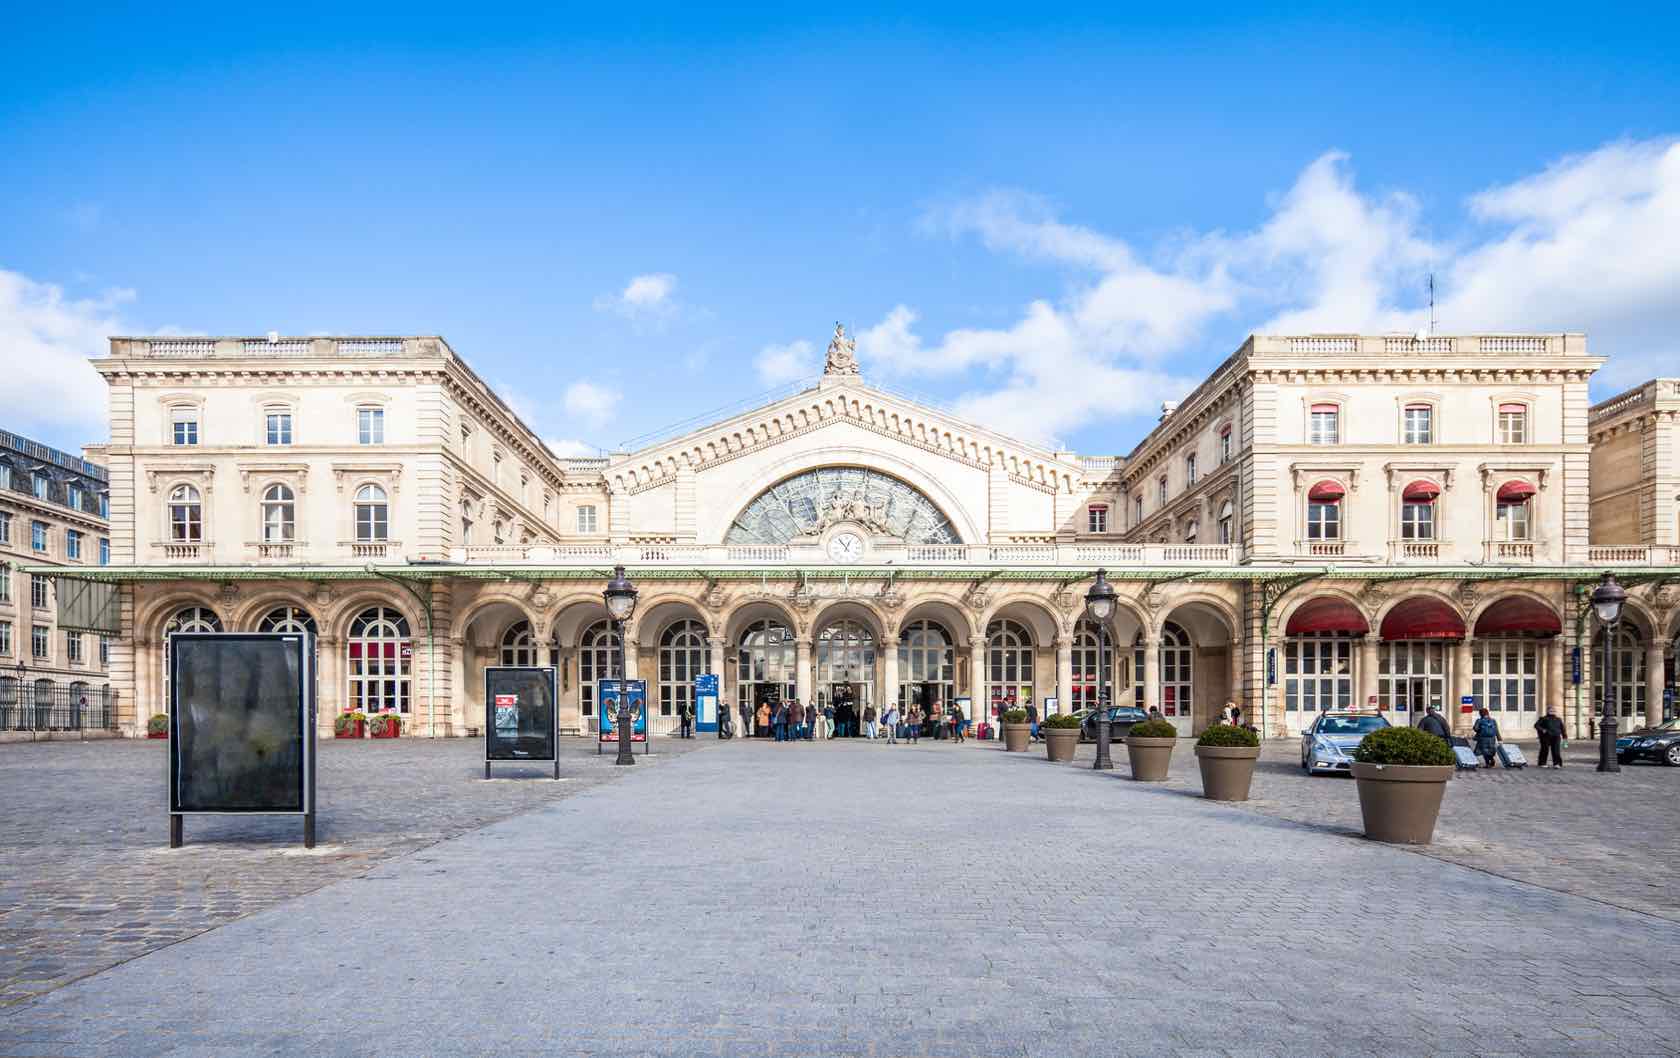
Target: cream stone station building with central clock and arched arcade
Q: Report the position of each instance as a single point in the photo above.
(1328, 521)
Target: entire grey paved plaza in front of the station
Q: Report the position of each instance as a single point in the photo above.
(844, 899)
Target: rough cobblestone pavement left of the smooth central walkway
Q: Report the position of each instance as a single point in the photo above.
(88, 879)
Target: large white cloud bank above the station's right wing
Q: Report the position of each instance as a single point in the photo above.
(1585, 246)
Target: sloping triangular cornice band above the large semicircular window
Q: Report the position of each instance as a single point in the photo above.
(844, 401)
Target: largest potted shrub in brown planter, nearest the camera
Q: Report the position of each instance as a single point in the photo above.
(1402, 775)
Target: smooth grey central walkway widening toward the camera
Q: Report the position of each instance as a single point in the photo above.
(893, 901)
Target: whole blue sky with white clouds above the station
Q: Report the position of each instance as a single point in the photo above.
(1049, 223)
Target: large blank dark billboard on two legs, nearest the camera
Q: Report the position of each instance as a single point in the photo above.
(241, 726)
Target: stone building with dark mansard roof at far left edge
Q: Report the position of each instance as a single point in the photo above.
(53, 516)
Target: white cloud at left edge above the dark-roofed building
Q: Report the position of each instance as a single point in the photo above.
(46, 340)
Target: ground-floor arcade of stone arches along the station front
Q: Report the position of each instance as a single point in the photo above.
(1185, 647)
